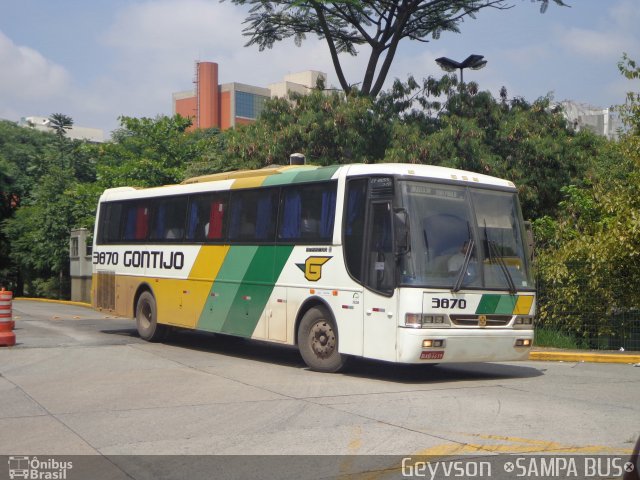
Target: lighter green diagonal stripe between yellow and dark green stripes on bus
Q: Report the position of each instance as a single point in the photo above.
(225, 287)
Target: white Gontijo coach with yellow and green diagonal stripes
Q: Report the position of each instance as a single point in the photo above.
(395, 262)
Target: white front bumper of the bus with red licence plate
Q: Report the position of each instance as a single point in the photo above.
(446, 345)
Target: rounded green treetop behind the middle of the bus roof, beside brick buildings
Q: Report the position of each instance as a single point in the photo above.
(328, 129)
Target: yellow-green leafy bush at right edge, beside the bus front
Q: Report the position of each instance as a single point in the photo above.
(589, 265)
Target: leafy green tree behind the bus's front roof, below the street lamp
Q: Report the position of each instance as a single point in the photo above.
(528, 143)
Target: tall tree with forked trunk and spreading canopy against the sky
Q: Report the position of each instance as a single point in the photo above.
(379, 24)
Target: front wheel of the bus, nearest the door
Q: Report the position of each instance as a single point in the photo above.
(318, 341)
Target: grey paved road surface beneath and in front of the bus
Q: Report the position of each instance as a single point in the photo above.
(80, 383)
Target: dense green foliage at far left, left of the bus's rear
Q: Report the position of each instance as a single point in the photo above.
(39, 173)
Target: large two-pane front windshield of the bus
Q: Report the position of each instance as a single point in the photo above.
(463, 237)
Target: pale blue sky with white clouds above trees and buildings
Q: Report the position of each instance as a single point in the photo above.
(99, 60)
